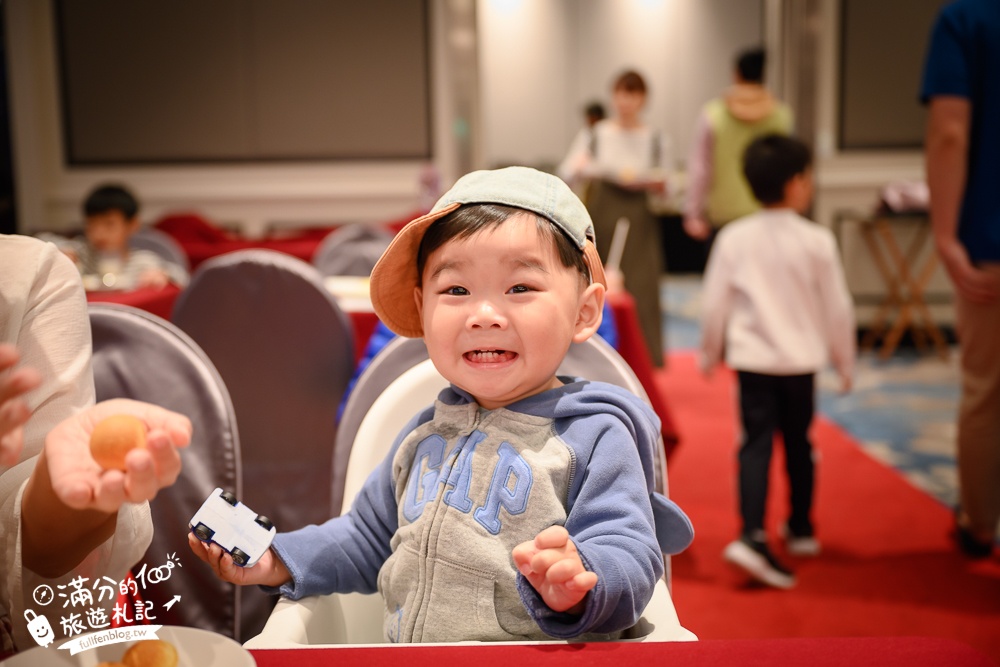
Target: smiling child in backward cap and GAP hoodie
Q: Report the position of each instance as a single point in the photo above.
(521, 504)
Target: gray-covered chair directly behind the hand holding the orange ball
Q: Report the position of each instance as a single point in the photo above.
(143, 357)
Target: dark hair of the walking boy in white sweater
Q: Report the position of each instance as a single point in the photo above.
(770, 162)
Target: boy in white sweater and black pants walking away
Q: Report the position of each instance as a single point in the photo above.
(776, 301)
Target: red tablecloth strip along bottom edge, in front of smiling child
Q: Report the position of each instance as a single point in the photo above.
(818, 652)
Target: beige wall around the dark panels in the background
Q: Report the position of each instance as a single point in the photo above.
(538, 62)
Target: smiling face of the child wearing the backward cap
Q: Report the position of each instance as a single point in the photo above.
(499, 311)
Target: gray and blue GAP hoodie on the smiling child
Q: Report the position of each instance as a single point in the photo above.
(434, 525)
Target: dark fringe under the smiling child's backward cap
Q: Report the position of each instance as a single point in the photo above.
(470, 219)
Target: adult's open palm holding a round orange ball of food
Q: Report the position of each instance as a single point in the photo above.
(80, 483)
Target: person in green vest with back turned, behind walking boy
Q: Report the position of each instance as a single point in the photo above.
(717, 191)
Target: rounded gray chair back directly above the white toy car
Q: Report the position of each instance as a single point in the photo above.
(286, 352)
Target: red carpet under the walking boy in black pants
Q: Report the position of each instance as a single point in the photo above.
(888, 567)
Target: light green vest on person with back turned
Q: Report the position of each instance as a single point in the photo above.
(729, 195)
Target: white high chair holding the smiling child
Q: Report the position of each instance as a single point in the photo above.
(356, 618)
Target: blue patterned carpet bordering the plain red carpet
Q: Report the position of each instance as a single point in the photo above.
(902, 410)
